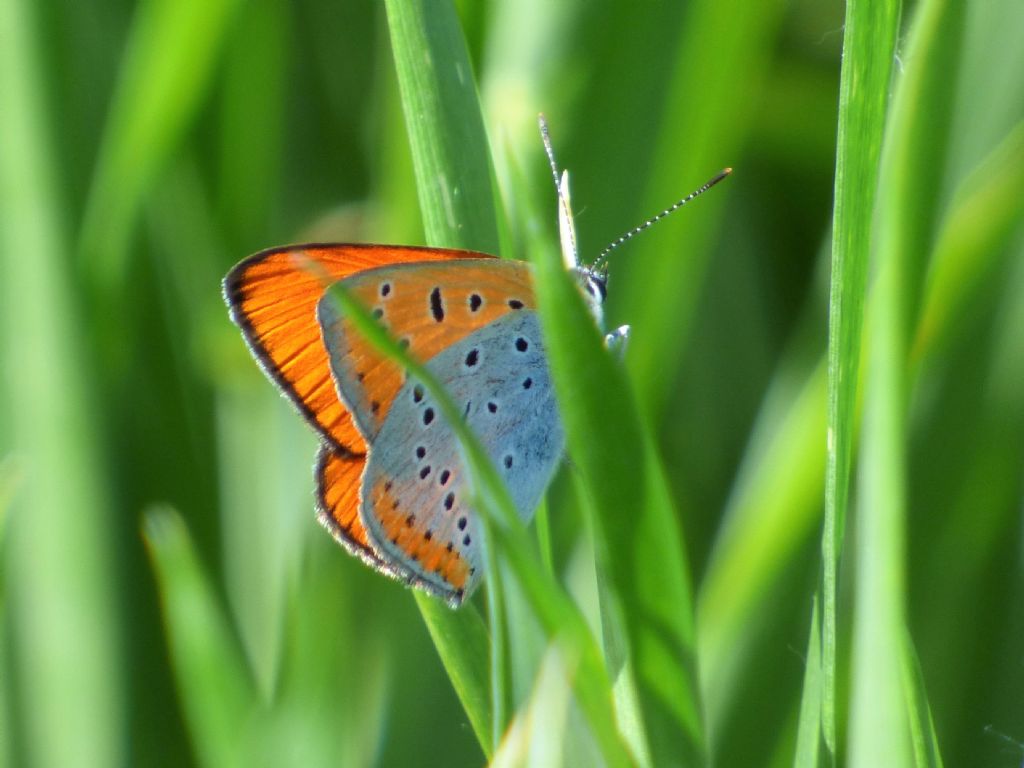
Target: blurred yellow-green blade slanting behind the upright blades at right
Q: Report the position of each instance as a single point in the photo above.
(781, 482)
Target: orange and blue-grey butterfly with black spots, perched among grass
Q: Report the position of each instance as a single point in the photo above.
(392, 485)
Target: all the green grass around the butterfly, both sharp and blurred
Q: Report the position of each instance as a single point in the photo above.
(789, 529)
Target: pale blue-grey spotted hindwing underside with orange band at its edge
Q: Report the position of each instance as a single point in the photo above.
(416, 501)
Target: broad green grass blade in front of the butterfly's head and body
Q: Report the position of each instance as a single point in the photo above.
(641, 544)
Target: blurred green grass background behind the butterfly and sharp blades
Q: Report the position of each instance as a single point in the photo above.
(148, 147)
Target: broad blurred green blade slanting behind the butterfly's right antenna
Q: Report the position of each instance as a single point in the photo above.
(707, 115)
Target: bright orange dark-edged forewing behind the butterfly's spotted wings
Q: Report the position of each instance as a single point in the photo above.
(273, 297)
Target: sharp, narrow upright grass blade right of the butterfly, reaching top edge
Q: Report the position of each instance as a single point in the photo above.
(869, 49)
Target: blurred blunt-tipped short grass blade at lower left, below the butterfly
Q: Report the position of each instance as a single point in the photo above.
(219, 696)
